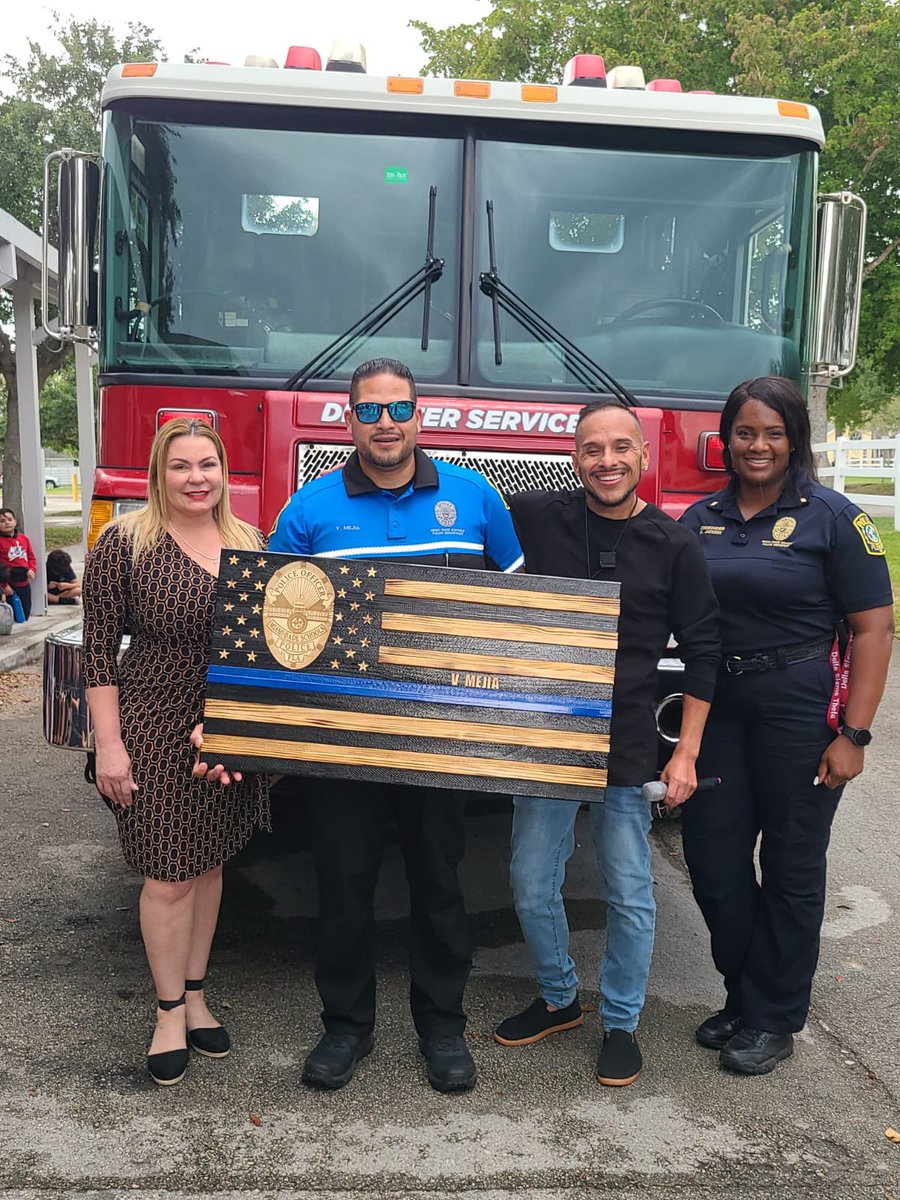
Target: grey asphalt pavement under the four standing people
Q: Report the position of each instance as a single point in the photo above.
(81, 1119)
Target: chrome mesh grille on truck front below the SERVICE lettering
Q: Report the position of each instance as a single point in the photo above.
(508, 472)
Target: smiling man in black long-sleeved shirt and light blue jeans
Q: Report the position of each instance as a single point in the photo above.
(604, 531)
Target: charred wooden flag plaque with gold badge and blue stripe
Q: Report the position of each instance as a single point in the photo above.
(412, 675)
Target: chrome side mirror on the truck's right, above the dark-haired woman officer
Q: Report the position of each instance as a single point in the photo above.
(839, 285)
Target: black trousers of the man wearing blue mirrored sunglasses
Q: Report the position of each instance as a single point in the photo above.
(349, 826)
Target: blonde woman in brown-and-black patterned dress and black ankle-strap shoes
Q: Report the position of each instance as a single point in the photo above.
(154, 573)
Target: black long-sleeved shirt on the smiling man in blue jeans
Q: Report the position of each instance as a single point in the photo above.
(665, 590)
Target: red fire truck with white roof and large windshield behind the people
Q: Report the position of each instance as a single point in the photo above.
(520, 247)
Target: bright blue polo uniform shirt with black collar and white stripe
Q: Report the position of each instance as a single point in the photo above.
(446, 517)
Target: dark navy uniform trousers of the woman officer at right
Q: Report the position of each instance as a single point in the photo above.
(765, 739)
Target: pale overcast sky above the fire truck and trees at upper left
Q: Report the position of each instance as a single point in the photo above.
(230, 32)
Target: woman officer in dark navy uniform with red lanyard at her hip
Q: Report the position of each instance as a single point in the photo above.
(790, 561)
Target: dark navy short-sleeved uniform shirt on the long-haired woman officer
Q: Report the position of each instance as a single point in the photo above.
(787, 577)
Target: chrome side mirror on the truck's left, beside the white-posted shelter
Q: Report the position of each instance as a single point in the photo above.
(77, 212)
